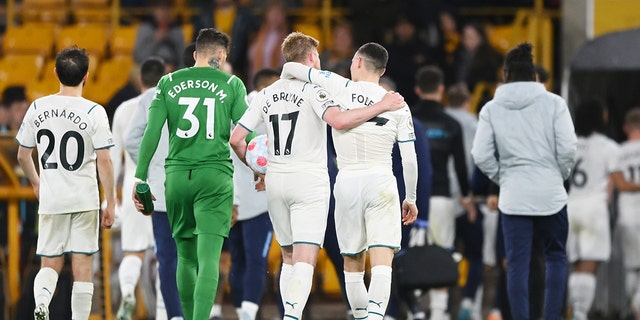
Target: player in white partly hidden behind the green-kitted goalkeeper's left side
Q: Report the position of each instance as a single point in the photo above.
(136, 229)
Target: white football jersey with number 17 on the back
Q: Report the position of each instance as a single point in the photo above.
(292, 111)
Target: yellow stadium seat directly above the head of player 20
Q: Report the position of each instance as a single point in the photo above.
(92, 37)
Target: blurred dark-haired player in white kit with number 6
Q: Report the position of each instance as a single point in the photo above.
(597, 165)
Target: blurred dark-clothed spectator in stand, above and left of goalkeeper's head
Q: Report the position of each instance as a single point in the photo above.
(160, 36)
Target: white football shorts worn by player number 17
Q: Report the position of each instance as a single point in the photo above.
(298, 206)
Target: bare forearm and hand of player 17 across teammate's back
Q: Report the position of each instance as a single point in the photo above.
(347, 119)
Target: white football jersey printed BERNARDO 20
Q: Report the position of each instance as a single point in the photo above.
(66, 131)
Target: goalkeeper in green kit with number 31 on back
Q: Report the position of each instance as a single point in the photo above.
(199, 103)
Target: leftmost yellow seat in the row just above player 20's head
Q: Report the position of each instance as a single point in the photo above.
(28, 39)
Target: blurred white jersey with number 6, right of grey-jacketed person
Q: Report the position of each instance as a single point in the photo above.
(596, 159)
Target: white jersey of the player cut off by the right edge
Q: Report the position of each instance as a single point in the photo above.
(629, 202)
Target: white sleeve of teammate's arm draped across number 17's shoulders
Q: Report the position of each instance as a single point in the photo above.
(327, 79)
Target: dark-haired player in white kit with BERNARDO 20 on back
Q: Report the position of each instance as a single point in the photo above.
(73, 137)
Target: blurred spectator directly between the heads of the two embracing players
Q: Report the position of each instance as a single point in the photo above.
(337, 58)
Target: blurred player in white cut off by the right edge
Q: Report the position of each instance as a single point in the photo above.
(628, 223)
